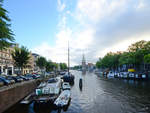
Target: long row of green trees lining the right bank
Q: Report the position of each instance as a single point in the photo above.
(136, 55)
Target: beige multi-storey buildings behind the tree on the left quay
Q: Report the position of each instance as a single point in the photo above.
(7, 66)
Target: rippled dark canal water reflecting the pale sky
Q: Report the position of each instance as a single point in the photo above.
(100, 95)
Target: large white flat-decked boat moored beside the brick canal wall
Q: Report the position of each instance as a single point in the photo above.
(49, 92)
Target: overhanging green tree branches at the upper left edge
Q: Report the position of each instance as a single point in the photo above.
(6, 34)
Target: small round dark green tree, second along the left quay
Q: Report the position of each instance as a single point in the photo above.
(41, 62)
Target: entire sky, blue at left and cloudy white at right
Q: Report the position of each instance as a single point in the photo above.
(92, 27)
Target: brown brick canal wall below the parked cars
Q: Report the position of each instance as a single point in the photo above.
(10, 95)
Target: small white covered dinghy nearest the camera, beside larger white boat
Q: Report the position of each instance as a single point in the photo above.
(63, 99)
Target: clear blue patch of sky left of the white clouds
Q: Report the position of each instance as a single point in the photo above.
(33, 20)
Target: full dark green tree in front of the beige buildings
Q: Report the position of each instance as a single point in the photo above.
(21, 57)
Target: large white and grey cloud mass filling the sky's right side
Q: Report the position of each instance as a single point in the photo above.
(100, 26)
